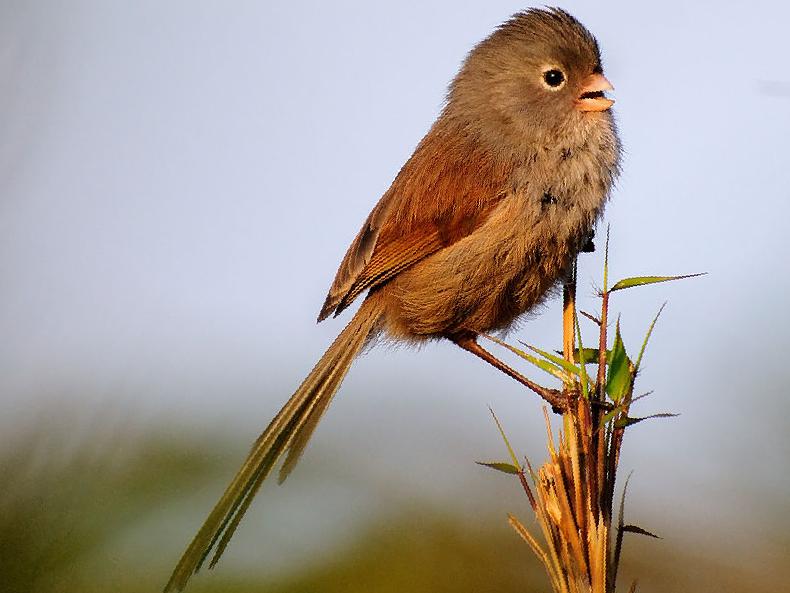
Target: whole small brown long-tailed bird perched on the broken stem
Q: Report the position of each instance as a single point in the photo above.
(479, 225)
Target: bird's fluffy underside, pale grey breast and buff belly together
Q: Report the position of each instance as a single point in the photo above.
(526, 244)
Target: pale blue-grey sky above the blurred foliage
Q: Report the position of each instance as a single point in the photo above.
(180, 180)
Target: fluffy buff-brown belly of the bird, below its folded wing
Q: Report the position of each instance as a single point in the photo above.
(485, 281)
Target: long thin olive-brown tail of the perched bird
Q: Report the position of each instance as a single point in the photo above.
(288, 432)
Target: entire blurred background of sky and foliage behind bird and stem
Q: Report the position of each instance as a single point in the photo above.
(178, 182)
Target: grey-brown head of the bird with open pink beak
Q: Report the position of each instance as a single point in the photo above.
(536, 76)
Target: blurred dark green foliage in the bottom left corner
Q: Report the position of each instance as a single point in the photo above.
(64, 502)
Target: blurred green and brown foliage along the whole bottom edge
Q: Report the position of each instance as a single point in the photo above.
(68, 506)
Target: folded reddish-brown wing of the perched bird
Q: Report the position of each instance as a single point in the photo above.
(444, 192)
